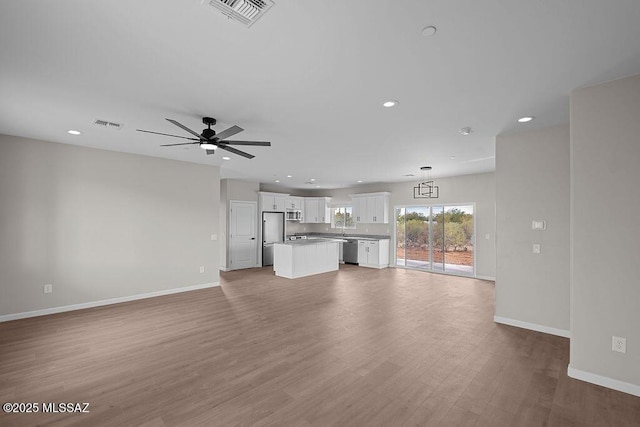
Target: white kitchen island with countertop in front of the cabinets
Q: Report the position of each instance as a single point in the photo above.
(300, 258)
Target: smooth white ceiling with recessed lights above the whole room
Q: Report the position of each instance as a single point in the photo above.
(309, 76)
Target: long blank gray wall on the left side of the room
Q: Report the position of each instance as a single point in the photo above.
(100, 225)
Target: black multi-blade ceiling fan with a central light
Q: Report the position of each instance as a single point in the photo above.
(209, 140)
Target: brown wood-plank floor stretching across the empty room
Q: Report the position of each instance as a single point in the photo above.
(358, 347)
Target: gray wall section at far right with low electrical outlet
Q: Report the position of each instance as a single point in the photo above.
(605, 274)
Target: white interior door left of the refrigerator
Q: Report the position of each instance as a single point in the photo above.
(243, 244)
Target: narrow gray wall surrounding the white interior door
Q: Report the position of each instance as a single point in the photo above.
(232, 189)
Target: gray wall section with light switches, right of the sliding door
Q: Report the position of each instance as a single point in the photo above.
(532, 183)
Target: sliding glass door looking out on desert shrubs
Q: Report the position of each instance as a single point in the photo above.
(436, 238)
